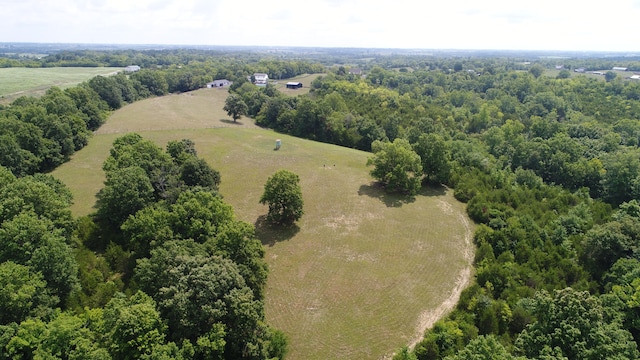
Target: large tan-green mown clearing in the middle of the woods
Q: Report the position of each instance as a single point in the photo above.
(362, 274)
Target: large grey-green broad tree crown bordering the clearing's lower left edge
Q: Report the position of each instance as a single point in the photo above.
(195, 292)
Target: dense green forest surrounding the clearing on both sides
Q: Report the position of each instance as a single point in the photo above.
(546, 159)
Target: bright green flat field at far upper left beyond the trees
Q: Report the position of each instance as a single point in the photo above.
(16, 82)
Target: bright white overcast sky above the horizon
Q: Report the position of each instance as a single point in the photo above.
(455, 24)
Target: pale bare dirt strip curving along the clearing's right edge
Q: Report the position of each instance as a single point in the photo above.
(429, 317)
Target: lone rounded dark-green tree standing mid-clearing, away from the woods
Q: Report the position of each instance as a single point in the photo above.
(283, 195)
